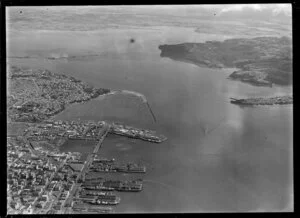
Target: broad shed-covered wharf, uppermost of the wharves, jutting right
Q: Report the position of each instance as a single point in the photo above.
(131, 132)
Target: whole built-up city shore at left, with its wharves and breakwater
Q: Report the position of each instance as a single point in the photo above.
(41, 178)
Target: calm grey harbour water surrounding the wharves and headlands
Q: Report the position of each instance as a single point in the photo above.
(218, 156)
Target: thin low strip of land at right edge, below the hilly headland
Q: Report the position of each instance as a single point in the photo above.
(264, 101)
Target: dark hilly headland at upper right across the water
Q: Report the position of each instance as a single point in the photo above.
(262, 61)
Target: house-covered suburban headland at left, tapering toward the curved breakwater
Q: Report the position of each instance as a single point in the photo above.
(37, 95)
